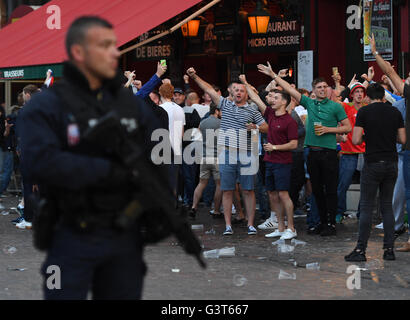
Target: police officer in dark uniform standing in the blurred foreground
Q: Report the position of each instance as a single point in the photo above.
(87, 186)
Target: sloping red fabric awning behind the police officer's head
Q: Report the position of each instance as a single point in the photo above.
(30, 42)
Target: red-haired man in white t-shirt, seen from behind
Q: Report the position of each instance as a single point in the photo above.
(176, 118)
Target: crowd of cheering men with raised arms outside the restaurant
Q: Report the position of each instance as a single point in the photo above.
(313, 140)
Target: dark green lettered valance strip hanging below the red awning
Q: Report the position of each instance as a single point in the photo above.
(30, 72)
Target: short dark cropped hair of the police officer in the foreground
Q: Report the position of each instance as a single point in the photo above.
(78, 30)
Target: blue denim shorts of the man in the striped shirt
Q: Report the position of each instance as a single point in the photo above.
(234, 165)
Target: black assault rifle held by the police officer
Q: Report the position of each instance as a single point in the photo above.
(153, 205)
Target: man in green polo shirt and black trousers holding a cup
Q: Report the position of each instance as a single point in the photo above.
(325, 119)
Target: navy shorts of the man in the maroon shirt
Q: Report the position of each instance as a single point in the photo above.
(278, 176)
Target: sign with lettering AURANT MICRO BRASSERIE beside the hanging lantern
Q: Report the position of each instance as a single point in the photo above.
(282, 35)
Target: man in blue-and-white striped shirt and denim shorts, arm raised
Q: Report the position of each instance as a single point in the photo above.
(236, 160)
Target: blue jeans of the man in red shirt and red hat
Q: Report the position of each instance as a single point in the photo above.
(347, 167)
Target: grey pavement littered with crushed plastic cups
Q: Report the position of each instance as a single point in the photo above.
(252, 274)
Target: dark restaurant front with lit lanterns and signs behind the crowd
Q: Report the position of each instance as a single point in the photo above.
(321, 33)
